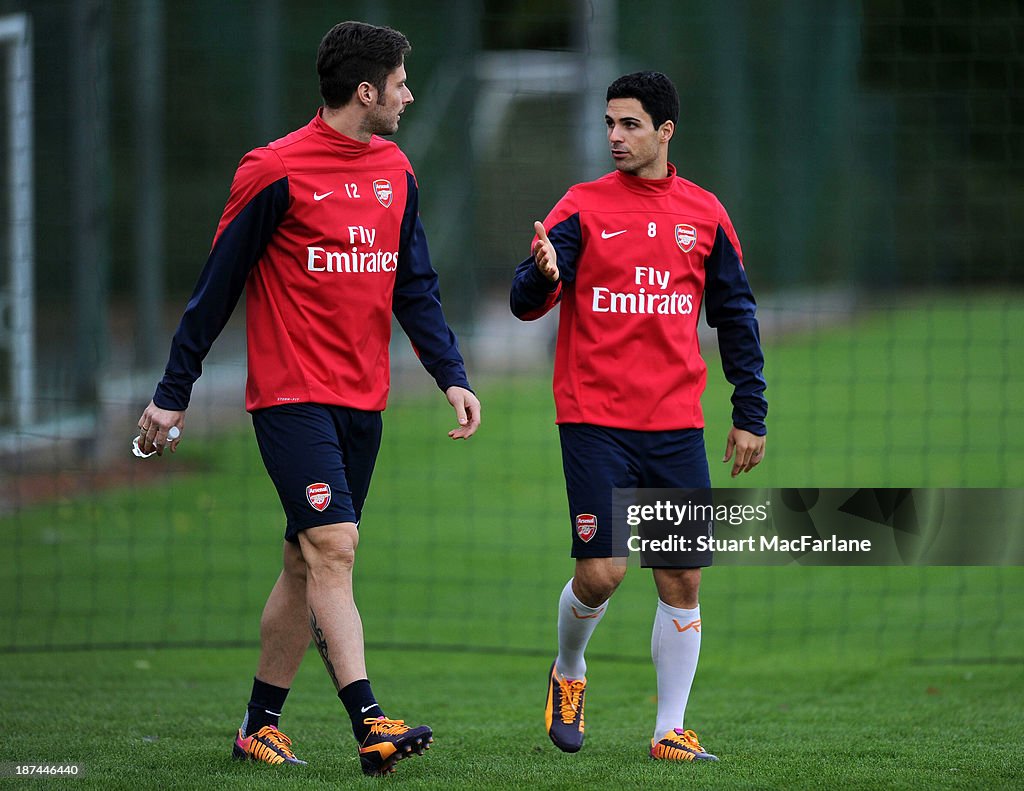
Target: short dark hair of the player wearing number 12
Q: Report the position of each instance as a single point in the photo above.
(353, 53)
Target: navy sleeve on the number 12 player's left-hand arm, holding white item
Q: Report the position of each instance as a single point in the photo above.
(236, 253)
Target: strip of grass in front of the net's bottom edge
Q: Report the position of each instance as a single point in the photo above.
(164, 720)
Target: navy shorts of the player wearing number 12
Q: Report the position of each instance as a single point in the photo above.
(321, 459)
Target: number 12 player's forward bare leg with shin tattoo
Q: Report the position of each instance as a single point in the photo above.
(333, 619)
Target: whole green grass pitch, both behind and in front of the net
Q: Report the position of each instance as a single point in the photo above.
(809, 678)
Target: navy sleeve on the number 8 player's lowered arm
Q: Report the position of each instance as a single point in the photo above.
(730, 308)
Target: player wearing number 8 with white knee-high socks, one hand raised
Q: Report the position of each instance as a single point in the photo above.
(631, 258)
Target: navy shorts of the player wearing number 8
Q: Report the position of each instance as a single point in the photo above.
(598, 461)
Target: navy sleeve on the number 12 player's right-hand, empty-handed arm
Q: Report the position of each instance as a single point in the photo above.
(417, 303)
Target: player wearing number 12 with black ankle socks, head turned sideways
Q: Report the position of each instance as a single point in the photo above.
(323, 231)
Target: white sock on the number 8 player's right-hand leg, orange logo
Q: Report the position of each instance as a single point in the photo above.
(675, 646)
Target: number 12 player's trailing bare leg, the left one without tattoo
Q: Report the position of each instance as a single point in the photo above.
(285, 628)
